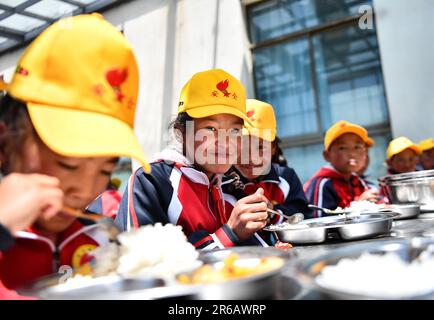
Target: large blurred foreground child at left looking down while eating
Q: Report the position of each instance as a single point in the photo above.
(68, 113)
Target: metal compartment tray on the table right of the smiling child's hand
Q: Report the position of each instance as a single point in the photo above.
(367, 225)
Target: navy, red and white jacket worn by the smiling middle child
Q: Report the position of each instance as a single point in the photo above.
(176, 192)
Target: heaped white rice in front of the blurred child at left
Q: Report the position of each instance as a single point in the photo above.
(150, 251)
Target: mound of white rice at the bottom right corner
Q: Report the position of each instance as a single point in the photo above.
(381, 276)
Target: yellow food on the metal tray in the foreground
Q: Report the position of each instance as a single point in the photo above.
(233, 268)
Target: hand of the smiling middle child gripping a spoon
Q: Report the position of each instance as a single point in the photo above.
(249, 215)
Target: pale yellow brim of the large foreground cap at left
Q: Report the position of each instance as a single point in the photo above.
(76, 133)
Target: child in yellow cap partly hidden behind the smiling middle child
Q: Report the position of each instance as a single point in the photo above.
(256, 169)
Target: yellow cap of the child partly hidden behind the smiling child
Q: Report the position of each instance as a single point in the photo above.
(263, 121)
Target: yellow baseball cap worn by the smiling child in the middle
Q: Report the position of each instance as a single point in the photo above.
(213, 92)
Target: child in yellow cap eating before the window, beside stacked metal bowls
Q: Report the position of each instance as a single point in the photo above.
(338, 184)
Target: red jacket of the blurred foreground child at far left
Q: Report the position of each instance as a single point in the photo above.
(33, 256)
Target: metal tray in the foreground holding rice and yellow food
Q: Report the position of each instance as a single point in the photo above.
(258, 286)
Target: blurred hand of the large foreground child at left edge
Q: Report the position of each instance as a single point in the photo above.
(24, 197)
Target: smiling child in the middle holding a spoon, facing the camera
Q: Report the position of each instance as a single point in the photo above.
(184, 187)
